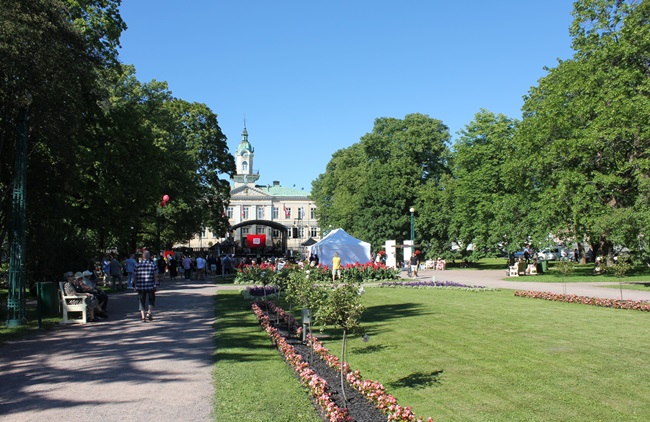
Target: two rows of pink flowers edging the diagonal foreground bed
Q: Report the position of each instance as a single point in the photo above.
(372, 390)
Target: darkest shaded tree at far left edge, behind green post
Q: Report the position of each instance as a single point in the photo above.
(50, 69)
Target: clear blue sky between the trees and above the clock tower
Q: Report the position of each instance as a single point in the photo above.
(310, 78)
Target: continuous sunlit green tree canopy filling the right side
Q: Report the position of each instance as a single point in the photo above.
(575, 169)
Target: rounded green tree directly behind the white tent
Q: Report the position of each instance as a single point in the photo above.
(369, 187)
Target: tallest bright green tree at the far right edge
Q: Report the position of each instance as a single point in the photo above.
(586, 130)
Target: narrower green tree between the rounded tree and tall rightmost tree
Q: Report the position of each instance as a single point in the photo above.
(482, 187)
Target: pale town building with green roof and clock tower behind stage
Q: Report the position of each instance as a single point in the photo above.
(285, 216)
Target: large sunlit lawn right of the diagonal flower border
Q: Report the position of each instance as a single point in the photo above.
(490, 356)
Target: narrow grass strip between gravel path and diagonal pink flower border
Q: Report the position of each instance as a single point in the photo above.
(252, 381)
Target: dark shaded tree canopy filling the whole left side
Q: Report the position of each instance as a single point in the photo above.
(103, 147)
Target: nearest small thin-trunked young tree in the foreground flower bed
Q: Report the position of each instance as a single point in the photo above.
(342, 307)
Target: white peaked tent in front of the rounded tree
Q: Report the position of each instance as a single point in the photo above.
(350, 249)
